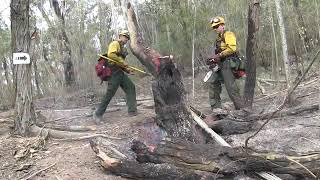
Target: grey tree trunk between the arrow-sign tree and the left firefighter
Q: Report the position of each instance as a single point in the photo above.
(64, 46)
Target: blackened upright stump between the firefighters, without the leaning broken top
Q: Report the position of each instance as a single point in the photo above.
(169, 97)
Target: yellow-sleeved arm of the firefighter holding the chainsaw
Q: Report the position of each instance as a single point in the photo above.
(231, 44)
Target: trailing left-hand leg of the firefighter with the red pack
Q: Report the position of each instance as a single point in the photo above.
(113, 85)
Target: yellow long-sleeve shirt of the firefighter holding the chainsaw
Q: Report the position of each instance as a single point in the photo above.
(227, 44)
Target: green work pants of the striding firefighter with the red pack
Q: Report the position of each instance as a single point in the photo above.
(117, 79)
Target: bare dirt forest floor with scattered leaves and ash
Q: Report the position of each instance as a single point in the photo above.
(21, 157)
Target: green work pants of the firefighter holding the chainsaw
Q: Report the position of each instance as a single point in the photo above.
(224, 75)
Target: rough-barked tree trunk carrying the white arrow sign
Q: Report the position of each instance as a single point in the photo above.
(20, 39)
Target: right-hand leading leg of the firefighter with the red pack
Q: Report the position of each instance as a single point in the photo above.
(129, 88)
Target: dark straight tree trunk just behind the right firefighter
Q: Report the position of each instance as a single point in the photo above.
(252, 54)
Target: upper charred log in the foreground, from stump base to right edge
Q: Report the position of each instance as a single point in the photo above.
(226, 160)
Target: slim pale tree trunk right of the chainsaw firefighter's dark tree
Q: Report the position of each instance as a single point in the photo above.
(284, 42)
